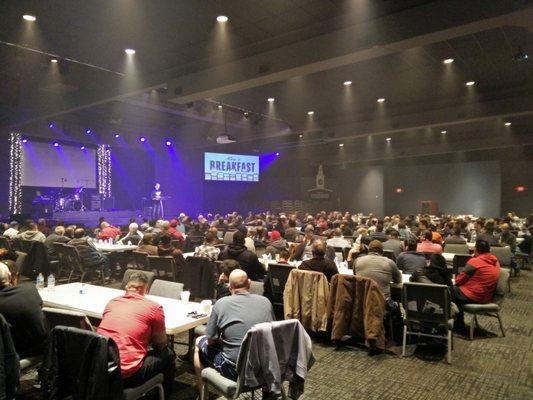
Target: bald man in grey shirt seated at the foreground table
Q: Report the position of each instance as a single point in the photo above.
(230, 319)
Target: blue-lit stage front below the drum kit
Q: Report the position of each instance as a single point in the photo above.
(90, 218)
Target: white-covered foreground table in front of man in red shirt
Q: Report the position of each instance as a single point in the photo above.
(94, 301)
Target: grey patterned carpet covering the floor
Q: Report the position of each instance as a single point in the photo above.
(489, 368)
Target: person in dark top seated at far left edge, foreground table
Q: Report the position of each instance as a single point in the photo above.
(21, 307)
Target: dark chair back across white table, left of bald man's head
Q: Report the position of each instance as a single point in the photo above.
(200, 276)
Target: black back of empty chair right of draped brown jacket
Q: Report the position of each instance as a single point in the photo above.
(426, 303)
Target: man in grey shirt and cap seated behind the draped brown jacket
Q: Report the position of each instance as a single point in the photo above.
(380, 269)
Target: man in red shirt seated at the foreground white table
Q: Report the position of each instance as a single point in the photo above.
(134, 322)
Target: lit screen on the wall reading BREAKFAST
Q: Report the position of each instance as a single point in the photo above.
(231, 167)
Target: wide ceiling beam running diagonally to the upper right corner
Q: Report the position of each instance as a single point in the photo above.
(377, 38)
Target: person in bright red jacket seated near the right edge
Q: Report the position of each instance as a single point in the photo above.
(477, 282)
